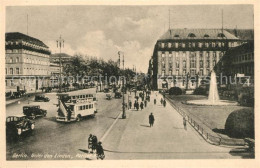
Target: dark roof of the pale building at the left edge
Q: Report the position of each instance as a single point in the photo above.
(14, 36)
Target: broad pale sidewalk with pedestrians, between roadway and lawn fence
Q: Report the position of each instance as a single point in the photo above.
(132, 138)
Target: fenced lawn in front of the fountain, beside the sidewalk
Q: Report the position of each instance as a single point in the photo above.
(211, 118)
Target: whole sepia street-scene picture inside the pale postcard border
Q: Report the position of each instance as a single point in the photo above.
(129, 82)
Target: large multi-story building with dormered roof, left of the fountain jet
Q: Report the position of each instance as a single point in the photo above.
(184, 57)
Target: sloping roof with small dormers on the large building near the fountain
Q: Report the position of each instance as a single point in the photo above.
(197, 34)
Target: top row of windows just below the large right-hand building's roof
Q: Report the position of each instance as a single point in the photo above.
(195, 44)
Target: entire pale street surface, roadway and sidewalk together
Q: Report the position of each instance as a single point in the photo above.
(129, 138)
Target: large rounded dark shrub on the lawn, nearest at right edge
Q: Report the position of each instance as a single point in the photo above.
(240, 123)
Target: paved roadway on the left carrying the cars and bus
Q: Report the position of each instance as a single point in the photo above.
(65, 140)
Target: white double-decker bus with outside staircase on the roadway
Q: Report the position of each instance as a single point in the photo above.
(73, 106)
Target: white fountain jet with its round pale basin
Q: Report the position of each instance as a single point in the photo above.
(213, 98)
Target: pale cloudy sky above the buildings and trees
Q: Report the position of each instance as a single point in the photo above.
(102, 31)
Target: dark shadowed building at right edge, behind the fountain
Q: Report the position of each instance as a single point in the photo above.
(237, 64)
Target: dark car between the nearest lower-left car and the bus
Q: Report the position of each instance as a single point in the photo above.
(34, 111)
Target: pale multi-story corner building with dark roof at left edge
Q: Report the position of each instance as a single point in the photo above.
(26, 62)
